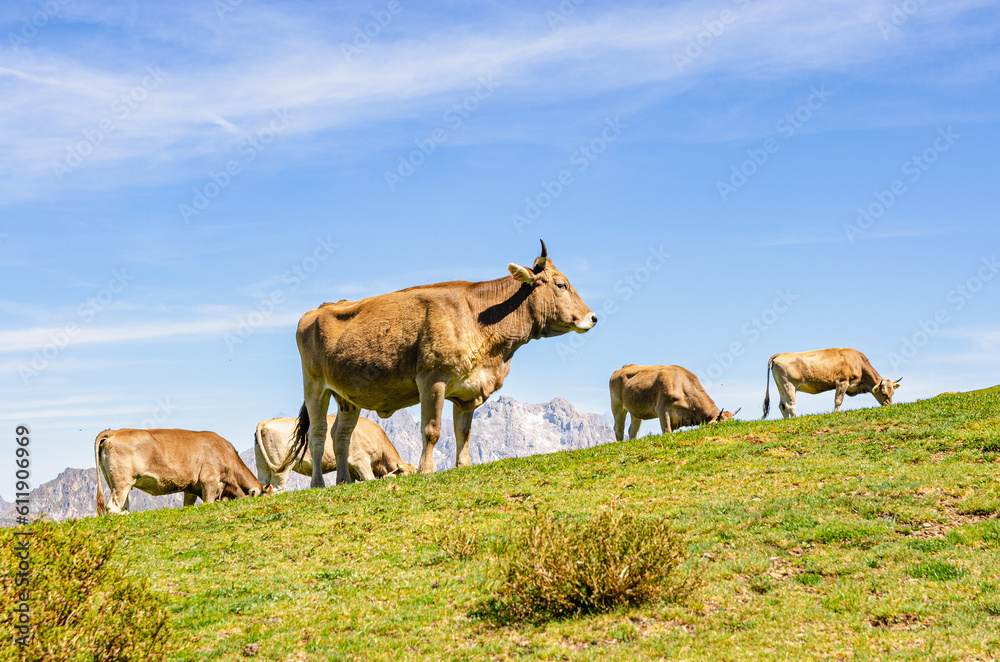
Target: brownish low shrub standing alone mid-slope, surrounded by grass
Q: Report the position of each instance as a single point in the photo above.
(558, 568)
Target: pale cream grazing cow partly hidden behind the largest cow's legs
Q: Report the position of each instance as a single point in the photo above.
(371, 455)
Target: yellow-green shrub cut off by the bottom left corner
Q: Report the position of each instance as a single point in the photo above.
(81, 605)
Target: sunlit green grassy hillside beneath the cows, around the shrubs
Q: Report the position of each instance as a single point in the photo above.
(870, 534)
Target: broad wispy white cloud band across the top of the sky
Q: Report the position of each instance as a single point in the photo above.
(269, 60)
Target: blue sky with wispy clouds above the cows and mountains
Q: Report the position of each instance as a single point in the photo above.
(720, 181)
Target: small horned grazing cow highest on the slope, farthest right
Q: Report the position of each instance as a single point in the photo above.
(845, 370)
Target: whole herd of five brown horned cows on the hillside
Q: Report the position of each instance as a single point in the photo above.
(423, 345)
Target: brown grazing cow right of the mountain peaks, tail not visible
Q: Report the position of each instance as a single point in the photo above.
(670, 393)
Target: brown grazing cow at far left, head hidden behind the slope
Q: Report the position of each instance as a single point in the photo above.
(200, 464)
